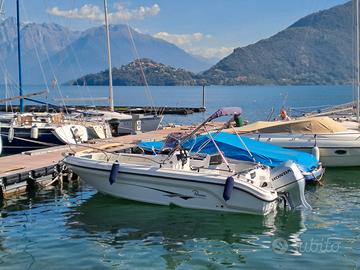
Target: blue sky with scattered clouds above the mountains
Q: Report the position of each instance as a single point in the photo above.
(207, 28)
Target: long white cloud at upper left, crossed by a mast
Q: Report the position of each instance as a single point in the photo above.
(95, 13)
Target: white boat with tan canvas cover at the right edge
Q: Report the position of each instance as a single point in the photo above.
(333, 143)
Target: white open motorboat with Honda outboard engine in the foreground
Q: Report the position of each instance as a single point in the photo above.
(199, 182)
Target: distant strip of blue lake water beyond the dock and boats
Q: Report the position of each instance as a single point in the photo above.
(256, 101)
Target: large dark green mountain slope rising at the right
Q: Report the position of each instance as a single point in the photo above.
(317, 49)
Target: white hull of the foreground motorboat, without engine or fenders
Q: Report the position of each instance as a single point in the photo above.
(163, 187)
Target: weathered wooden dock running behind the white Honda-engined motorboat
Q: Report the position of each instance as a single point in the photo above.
(42, 167)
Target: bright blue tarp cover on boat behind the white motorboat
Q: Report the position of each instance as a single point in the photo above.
(233, 148)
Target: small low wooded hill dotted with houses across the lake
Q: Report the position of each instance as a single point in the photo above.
(131, 74)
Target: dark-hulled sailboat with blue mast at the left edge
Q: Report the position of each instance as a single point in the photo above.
(22, 131)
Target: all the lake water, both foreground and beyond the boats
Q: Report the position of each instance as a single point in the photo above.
(78, 228)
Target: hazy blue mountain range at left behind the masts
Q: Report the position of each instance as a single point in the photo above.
(50, 50)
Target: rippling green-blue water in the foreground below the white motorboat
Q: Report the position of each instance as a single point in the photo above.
(79, 228)
